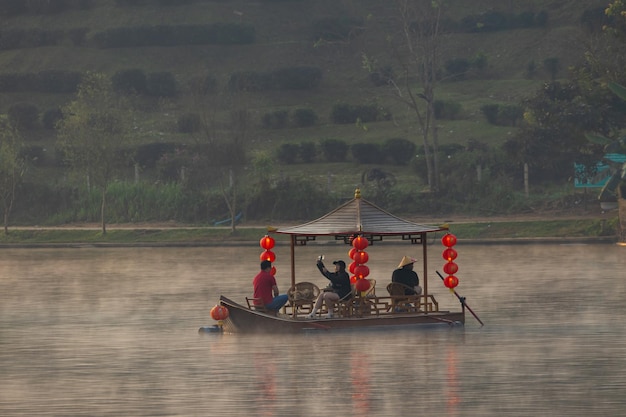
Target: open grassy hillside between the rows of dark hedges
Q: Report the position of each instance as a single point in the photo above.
(285, 37)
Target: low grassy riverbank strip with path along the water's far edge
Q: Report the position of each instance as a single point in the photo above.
(553, 228)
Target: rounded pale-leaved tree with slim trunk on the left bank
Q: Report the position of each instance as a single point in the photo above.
(94, 134)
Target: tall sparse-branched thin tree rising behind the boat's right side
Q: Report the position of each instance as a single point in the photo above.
(415, 46)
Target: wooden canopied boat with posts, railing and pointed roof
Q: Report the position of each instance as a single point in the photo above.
(357, 217)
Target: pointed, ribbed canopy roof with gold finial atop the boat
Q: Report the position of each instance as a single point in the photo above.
(359, 217)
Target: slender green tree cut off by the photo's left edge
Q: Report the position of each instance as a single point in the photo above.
(12, 167)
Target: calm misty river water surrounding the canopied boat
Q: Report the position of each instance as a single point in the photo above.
(114, 332)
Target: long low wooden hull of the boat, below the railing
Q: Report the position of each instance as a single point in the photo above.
(241, 319)
